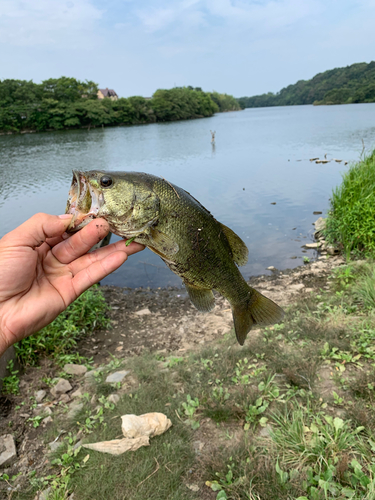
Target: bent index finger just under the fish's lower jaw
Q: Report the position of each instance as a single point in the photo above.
(80, 243)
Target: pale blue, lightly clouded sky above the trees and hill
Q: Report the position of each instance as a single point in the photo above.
(239, 47)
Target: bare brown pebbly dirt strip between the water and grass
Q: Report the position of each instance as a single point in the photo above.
(155, 320)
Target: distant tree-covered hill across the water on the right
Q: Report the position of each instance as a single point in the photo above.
(351, 84)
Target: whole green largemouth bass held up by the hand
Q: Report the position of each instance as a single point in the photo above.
(174, 225)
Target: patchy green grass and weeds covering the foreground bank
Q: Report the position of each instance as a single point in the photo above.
(288, 416)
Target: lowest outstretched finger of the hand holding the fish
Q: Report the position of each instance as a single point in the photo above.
(97, 271)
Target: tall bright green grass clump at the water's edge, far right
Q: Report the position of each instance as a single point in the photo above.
(351, 221)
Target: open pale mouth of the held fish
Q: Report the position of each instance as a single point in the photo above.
(84, 202)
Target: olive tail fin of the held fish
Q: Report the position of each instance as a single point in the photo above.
(256, 310)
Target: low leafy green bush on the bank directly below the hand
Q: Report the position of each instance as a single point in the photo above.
(60, 337)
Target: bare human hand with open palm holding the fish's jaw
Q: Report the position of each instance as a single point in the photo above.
(42, 272)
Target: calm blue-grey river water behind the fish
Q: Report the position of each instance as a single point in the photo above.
(261, 157)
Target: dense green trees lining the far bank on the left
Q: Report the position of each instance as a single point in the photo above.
(65, 103)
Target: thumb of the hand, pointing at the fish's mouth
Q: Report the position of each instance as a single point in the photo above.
(37, 229)
